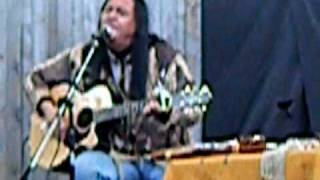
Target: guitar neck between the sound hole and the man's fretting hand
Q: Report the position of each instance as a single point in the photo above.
(119, 111)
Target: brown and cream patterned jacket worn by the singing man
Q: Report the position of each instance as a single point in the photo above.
(145, 133)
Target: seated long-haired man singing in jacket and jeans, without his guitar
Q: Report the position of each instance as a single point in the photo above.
(132, 63)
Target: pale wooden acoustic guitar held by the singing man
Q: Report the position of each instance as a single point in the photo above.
(99, 102)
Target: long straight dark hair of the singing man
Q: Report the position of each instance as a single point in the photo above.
(139, 49)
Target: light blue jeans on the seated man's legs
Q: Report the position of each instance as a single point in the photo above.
(97, 165)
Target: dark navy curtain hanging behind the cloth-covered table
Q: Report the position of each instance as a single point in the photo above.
(262, 60)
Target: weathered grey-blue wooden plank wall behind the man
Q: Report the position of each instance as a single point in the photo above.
(33, 30)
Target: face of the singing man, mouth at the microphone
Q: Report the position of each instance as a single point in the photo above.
(119, 15)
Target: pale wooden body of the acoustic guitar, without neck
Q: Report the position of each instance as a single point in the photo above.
(56, 152)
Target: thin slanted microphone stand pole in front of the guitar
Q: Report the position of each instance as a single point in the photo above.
(61, 110)
